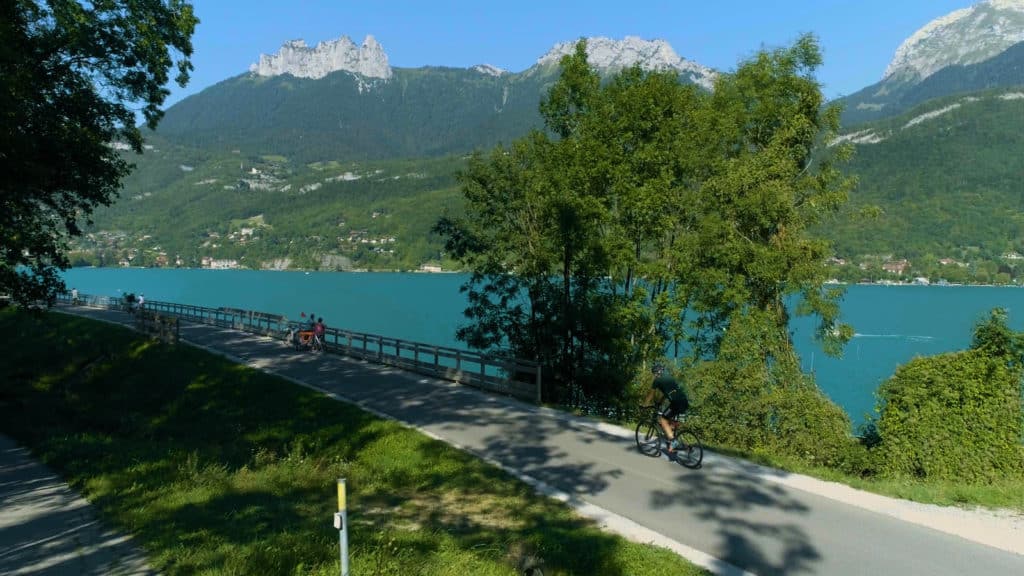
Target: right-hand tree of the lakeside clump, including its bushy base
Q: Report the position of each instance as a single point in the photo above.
(769, 182)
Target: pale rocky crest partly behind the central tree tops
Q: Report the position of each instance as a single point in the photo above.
(610, 55)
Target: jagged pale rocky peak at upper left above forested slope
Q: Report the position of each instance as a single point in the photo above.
(297, 59)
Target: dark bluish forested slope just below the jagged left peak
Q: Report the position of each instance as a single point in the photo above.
(418, 112)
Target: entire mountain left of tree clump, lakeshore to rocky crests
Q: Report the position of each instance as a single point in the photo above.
(297, 163)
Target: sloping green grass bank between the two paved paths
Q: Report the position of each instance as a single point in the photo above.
(217, 469)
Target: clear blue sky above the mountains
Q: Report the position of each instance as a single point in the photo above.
(859, 38)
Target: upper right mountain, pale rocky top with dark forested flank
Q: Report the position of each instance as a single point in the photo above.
(970, 50)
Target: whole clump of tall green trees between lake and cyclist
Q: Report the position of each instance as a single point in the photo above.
(654, 215)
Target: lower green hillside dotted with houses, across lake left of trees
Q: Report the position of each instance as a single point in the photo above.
(318, 217)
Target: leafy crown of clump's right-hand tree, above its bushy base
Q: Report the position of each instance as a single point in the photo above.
(764, 191)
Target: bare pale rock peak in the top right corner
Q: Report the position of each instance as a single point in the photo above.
(962, 37)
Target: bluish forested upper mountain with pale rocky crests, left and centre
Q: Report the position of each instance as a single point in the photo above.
(337, 101)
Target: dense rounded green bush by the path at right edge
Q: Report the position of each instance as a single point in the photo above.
(954, 417)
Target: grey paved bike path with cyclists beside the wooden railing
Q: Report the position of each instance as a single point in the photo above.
(730, 516)
